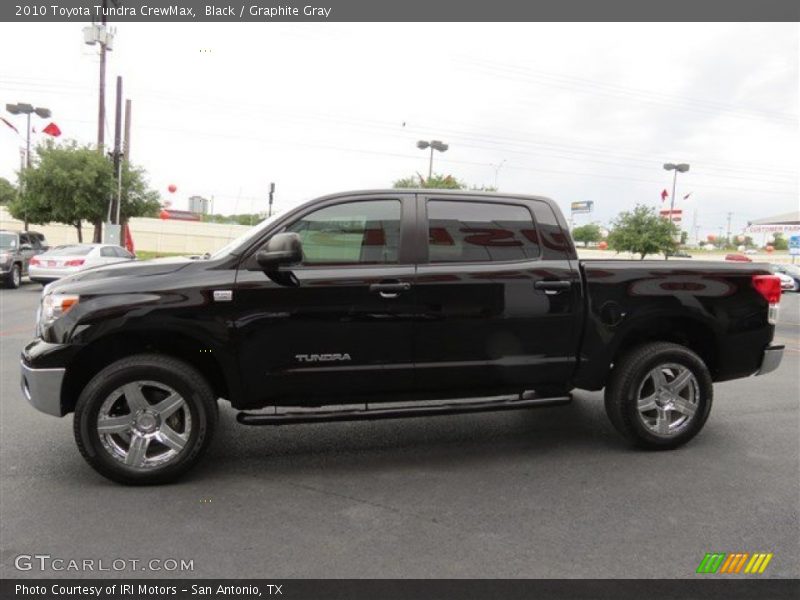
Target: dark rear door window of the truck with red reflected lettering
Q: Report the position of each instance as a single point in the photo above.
(480, 232)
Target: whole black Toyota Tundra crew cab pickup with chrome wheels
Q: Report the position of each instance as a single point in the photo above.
(383, 304)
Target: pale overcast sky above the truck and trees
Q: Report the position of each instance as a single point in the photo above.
(575, 111)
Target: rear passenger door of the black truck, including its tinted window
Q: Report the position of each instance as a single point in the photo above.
(494, 313)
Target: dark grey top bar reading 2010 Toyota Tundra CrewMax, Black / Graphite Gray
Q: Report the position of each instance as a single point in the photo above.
(401, 10)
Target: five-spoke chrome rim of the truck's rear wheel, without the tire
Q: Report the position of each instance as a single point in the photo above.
(668, 399)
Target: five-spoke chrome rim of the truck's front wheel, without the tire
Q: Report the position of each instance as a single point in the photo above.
(144, 424)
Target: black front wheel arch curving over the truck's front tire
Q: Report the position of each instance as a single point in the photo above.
(102, 352)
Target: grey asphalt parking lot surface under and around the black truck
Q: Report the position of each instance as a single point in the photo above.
(541, 493)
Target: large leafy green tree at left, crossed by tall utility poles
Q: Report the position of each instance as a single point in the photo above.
(71, 184)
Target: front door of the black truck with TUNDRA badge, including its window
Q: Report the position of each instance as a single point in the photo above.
(346, 329)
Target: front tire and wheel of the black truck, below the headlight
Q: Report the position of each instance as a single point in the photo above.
(146, 419)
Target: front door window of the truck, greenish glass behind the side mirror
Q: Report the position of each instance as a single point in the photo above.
(351, 233)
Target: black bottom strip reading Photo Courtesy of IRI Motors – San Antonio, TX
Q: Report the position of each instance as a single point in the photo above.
(734, 588)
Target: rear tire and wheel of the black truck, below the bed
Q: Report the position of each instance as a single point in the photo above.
(659, 395)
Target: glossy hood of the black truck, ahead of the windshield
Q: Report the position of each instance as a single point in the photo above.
(108, 276)
